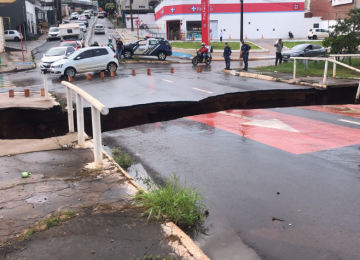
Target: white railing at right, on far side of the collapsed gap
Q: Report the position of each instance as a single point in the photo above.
(332, 59)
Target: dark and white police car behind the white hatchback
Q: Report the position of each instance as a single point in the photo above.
(148, 47)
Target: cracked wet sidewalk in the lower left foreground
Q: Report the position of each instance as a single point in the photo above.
(68, 209)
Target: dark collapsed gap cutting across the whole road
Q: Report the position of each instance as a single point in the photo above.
(37, 122)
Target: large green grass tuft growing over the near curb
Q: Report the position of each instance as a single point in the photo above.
(179, 204)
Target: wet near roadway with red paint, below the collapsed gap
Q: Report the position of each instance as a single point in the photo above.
(241, 170)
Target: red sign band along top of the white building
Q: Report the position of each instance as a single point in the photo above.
(231, 8)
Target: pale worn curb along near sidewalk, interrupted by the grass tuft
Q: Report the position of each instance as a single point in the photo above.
(186, 243)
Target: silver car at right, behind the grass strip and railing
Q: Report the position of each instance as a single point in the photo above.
(305, 50)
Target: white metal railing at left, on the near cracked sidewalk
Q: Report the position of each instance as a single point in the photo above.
(96, 109)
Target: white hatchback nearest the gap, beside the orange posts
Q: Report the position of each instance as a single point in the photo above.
(84, 60)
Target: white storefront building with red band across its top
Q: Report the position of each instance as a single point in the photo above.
(262, 18)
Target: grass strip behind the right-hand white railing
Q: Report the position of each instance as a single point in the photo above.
(316, 69)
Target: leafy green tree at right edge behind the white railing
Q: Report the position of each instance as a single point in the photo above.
(345, 36)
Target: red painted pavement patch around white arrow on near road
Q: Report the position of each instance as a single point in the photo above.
(313, 136)
